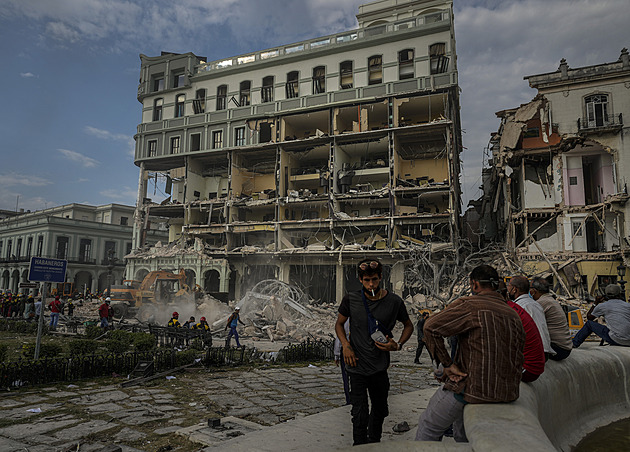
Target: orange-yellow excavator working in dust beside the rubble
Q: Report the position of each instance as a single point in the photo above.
(160, 286)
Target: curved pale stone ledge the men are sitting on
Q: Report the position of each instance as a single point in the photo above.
(572, 398)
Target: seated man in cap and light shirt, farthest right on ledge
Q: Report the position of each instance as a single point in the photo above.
(615, 311)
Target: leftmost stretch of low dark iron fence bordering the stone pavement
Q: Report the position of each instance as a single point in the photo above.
(21, 373)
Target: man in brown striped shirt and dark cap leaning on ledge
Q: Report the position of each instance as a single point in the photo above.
(488, 362)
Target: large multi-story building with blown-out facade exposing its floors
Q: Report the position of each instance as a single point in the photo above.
(297, 161)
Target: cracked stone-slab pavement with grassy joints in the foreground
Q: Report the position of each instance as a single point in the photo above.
(173, 414)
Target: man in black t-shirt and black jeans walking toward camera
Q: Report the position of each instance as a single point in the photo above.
(367, 359)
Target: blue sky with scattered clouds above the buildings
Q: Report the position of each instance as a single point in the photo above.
(70, 74)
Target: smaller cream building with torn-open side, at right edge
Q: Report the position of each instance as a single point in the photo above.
(556, 191)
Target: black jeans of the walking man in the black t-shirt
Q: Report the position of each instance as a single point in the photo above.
(367, 426)
